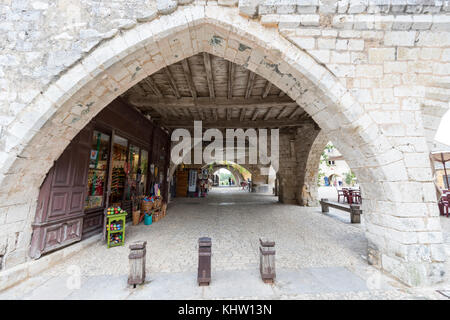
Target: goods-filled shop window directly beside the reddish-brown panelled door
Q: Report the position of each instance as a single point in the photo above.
(98, 164)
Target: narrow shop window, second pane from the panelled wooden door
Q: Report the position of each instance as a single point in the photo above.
(119, 169)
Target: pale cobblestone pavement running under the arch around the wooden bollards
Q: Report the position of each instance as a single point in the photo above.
(317, 256)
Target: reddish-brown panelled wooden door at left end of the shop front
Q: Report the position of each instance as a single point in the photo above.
(60, 208)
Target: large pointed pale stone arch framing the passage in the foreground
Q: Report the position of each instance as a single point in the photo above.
(403, 239)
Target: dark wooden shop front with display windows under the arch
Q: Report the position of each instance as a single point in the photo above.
(116, 159)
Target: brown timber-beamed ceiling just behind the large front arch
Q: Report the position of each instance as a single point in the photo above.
(218, 92)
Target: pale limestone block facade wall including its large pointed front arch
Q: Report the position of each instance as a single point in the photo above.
(374, 75)
